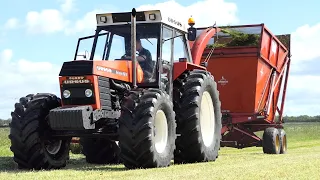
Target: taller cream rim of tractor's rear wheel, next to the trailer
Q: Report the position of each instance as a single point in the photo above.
(207, 119)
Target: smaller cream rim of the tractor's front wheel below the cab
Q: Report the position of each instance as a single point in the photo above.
(161, 131)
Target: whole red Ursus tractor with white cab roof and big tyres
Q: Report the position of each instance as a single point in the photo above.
(142, 109)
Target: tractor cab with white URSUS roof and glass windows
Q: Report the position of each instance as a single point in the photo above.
(160, 41)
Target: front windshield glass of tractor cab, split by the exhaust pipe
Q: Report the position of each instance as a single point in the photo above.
(114, 43)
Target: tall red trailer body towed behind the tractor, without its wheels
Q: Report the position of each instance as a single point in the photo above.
(252, 82)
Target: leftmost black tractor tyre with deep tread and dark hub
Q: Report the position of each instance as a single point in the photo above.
(29, 124)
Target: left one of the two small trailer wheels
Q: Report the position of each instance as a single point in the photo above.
(271, 141)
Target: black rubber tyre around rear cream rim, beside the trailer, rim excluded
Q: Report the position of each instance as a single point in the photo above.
(187, 91)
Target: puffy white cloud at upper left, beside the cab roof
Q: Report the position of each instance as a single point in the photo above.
(46, 21)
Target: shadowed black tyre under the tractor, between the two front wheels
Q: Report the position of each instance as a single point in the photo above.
(100, 150)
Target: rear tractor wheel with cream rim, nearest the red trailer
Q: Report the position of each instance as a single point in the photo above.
(198, 117)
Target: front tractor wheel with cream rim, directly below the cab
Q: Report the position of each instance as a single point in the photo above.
(147, 129)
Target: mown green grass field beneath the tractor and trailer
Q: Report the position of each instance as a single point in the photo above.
(302, 161)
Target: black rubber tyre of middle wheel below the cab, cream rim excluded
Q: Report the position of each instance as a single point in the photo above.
(135, 132)
